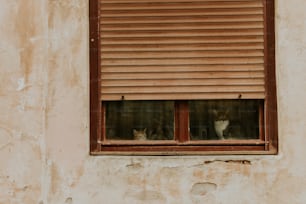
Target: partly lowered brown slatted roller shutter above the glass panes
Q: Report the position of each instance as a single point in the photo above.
(181, 49)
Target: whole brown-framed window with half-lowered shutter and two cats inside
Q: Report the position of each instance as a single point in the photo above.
(182, 77)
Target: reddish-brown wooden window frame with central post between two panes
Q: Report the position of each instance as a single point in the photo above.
(267, 144)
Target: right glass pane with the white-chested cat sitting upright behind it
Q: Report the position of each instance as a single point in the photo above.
(224, 119)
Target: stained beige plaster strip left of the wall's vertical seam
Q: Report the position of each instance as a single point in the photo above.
(22, 58)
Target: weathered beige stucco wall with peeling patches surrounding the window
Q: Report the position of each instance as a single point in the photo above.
(44, 123)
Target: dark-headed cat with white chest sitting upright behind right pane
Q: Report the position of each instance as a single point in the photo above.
(221, 123)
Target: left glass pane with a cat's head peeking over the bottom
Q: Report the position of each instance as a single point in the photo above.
(140, 120)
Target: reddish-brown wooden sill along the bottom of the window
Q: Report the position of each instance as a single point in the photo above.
(185, 149)
